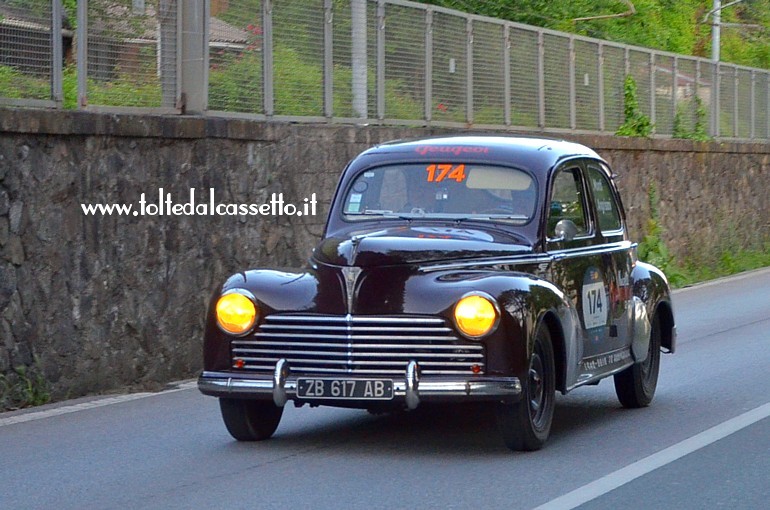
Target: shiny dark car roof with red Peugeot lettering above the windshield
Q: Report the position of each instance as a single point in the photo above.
(534, 153)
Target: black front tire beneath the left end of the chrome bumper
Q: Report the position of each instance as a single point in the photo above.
(250, 420)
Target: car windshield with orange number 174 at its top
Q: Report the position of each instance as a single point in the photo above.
(442, 191)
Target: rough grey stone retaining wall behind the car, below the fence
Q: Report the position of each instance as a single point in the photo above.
(108, 301)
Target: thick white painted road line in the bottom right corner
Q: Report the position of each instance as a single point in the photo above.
(633, 471)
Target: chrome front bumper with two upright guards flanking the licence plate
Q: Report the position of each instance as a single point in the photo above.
(282, 386)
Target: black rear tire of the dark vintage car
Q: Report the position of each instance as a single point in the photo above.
(635, 386)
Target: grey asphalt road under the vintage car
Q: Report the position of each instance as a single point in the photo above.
(704, 442)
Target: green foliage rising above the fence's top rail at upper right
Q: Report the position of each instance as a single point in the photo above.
(668, 25)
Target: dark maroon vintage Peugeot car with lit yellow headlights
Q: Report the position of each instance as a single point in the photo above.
(455, 269)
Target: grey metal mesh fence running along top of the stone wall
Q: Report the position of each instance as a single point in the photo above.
(368, 61)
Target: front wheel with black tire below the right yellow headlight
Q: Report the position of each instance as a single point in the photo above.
(525, 425)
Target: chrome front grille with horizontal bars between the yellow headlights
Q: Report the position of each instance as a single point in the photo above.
(378, 346)
